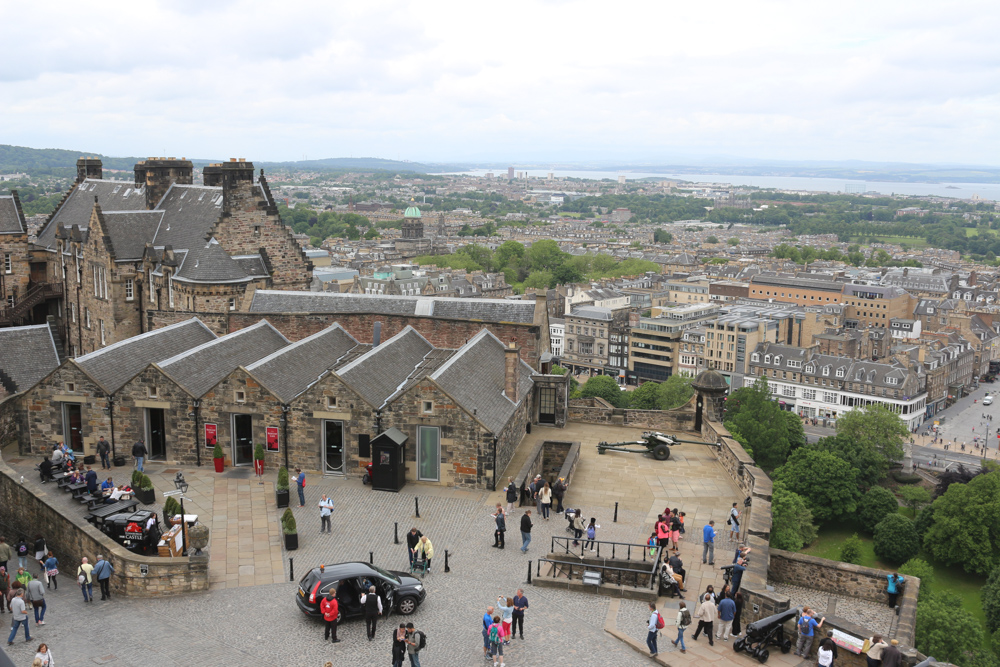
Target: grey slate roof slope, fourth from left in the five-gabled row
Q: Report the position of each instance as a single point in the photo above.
(383, 370)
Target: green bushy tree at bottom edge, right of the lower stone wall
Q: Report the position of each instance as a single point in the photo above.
(946, 630)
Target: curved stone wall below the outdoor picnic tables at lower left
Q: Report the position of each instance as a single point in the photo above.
(71, 539)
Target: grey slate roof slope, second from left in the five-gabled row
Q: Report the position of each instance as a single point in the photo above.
(201, 368)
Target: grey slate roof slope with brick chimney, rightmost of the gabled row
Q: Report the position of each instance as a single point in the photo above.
(476, 377)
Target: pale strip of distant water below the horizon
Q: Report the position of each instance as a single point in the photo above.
(963, 191)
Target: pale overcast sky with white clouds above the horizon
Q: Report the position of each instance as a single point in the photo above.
(662, 81)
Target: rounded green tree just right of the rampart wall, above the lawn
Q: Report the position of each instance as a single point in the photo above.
(825, 481)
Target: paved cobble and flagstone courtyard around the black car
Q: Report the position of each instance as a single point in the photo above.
(249, 614)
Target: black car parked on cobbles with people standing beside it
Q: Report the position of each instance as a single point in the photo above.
(399, 591)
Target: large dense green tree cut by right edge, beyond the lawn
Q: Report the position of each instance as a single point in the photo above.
(965, 529)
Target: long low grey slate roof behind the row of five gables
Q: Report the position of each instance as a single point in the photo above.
(486, 310)
